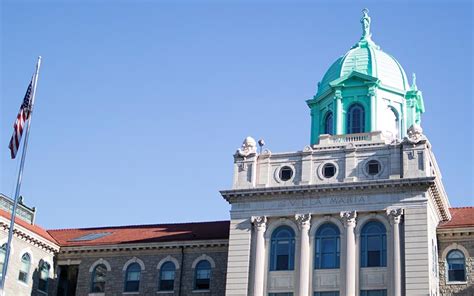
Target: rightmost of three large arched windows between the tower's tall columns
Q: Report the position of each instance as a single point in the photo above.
(373, 245)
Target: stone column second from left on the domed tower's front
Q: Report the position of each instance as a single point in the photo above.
(304, 223)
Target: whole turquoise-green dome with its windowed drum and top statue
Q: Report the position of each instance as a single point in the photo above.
(365, 90)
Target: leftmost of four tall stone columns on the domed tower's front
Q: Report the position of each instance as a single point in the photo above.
(260, 224)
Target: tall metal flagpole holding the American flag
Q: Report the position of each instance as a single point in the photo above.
(18, 183)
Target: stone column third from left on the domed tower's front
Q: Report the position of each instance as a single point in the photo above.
(349, 220)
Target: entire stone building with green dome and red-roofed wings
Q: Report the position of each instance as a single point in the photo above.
(360, 211)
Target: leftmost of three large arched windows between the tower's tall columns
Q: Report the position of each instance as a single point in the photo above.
(282, 255)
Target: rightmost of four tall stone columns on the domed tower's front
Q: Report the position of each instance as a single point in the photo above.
(395, 216)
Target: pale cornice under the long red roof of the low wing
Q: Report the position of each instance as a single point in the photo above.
(144, 246)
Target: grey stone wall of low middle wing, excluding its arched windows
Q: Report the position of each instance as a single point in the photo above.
(149, 256)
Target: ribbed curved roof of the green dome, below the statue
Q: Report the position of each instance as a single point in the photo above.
(370, 60)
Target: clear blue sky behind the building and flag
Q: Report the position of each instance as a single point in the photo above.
(141, 105)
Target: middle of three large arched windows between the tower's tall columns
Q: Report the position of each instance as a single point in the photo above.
(327, 247)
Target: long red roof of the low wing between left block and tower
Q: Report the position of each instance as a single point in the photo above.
(143, 233)
